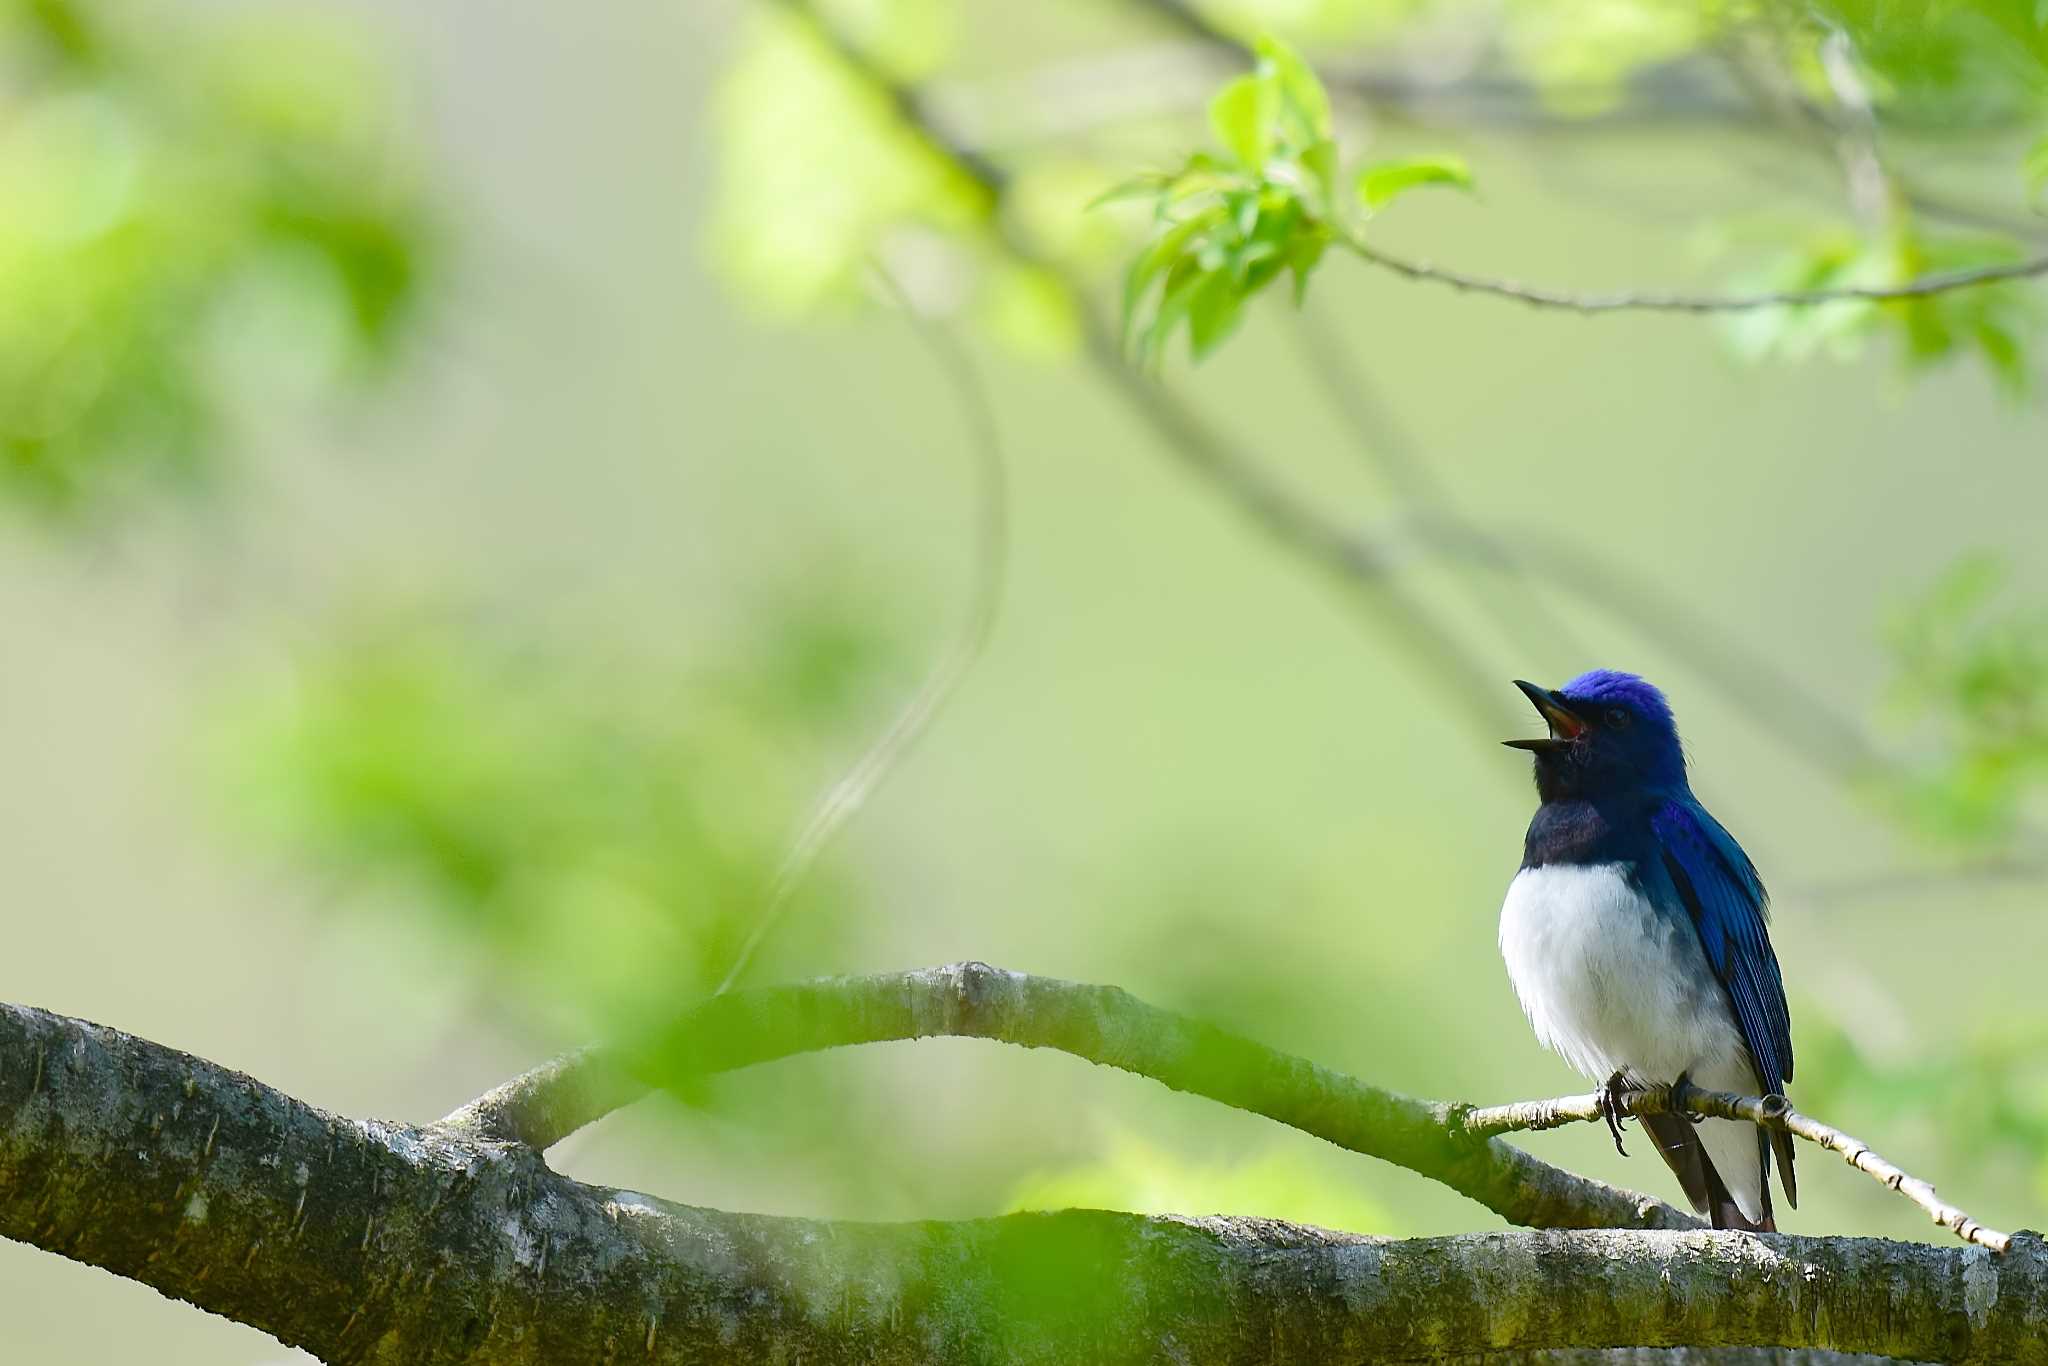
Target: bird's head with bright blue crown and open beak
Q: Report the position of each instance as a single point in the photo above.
(1609, 734)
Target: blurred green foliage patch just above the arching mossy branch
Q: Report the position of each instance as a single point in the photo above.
(601, 822)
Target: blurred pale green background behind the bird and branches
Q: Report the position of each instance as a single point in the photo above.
(462, 503)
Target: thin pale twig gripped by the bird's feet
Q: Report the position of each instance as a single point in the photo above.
(1766, 1111)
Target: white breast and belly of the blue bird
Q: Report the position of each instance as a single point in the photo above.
(1617, 988)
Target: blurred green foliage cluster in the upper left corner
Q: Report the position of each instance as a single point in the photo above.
(187, 216)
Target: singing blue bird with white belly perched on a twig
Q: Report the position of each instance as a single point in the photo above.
(1637, 941)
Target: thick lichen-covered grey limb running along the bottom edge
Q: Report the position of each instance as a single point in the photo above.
(382, 1244)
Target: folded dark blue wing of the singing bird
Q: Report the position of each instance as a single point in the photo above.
(1730, 908)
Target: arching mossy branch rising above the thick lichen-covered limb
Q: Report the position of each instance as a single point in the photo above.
(1103, 1025)
